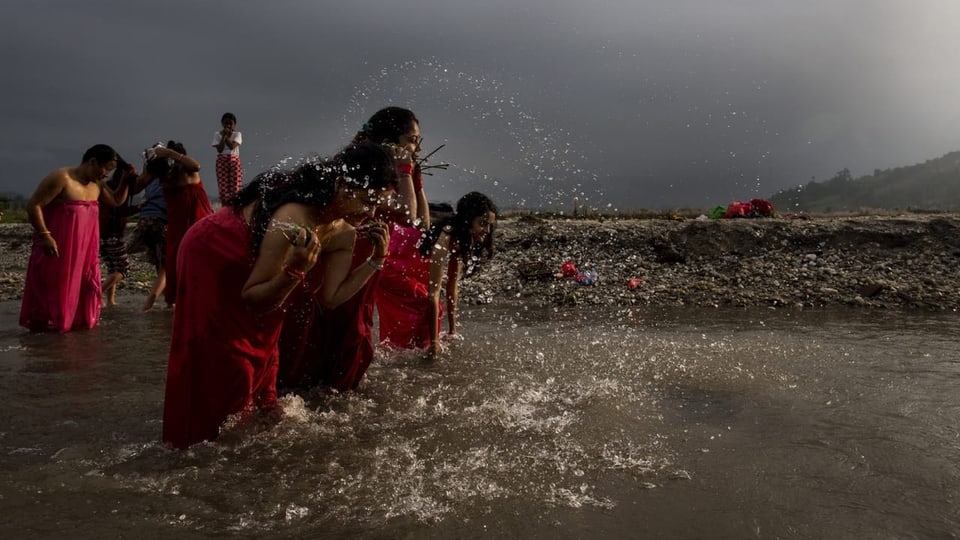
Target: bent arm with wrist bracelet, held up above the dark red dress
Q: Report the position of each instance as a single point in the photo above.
(340, 282)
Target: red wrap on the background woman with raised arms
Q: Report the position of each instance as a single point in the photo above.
(186, 205)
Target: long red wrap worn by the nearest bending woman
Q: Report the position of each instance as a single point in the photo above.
(223, 357)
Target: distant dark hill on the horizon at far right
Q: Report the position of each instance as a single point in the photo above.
(933, 185)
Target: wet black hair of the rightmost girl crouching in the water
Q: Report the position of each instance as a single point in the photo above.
(469, 207)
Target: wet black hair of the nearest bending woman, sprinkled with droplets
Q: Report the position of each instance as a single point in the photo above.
(314, 183)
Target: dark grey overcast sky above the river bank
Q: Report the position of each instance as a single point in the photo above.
(627, 104)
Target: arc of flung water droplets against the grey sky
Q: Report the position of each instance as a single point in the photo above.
(517, 158)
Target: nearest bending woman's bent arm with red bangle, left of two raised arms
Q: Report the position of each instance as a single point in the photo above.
(282, 262)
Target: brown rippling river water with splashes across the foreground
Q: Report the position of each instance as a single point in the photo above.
(540, 423)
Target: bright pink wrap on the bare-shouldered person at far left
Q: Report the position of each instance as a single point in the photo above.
(63, 293)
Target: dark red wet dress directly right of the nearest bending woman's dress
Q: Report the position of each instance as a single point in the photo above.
(331, 348)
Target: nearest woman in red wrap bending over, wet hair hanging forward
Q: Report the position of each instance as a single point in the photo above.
(241, 267)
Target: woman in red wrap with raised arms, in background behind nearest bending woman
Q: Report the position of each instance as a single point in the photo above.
(186, 198)
